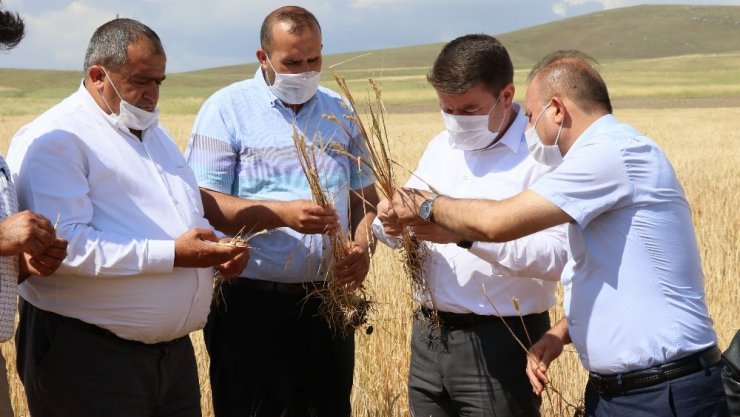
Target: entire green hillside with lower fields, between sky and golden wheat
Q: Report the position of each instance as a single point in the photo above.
(663, 52)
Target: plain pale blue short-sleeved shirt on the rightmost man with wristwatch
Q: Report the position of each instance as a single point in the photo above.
(634, 288)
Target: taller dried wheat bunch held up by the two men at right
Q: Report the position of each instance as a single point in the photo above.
(375, 135)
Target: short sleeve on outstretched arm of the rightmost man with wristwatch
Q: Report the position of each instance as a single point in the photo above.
(590, 181)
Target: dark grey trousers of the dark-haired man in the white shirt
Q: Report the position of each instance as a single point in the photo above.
(473, 370)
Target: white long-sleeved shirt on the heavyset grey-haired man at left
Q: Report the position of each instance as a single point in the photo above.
(121, 204)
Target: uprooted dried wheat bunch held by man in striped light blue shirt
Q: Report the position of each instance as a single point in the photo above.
(344, 308)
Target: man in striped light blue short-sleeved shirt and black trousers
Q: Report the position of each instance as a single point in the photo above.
(271, 353)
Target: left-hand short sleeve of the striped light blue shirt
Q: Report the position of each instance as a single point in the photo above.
(211, 153)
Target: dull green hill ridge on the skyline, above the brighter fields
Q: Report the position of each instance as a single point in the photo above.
(647, 31)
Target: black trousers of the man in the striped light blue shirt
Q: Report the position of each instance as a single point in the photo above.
(272, 355)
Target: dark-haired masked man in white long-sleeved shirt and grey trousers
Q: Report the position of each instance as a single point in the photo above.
(472, 364)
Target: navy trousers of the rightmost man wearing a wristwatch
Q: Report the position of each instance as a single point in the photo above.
(696, 395)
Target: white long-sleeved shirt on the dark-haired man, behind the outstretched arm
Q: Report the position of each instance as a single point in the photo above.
(527, 269)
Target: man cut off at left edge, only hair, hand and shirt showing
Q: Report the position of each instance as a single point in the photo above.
(28, 242)
